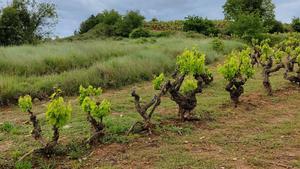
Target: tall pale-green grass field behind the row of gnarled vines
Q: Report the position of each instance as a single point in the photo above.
(106, 63)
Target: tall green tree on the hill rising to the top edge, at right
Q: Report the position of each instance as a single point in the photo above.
(248, 12)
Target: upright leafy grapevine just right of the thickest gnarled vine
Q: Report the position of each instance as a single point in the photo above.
(237, 69)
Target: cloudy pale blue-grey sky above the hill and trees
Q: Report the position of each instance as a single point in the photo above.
(73, 12)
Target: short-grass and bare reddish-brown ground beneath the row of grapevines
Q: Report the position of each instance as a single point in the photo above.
(263, 132)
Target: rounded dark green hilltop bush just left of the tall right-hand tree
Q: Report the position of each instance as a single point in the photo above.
(200, 25)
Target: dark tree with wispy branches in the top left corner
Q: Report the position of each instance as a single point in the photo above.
(25, 21)
